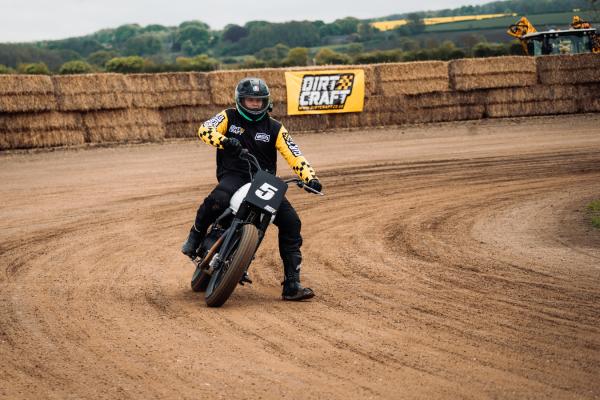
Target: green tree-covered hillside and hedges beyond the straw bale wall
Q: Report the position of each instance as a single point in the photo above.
(194, 46)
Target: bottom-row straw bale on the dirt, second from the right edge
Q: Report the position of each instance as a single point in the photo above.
(544, 107)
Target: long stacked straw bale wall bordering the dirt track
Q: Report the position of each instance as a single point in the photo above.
(41, 111)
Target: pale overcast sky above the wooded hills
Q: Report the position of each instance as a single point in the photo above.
(29, 20)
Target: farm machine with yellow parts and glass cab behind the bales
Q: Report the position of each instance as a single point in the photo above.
(579, 38)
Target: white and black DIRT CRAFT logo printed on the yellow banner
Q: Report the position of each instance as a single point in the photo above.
(325, 92)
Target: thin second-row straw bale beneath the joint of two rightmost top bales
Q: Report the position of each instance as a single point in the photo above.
(529, 94)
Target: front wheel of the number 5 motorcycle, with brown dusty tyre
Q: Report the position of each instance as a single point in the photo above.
(224, 280)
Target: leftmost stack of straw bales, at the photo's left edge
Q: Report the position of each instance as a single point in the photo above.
(28, 118)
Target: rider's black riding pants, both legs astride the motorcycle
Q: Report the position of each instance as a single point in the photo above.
(286, 220)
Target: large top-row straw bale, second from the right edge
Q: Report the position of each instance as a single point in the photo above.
(495, 72)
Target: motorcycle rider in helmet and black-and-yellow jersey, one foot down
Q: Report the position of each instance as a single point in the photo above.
(249, 126)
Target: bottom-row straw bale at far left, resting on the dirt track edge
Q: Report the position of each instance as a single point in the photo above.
(29, 139)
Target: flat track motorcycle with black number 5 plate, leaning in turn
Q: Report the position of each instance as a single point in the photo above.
(232, 240)
